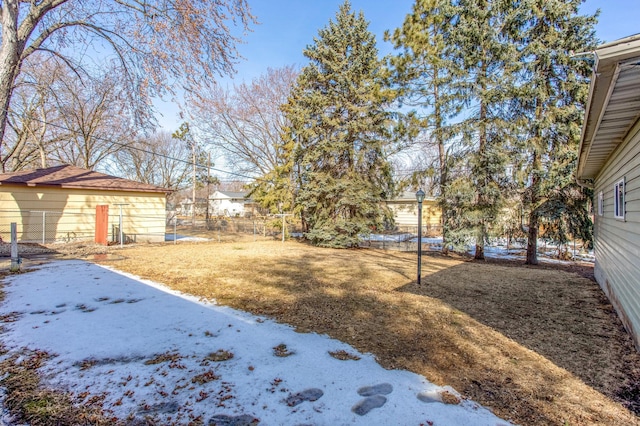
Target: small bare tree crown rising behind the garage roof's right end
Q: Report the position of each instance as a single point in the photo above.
(158, 159)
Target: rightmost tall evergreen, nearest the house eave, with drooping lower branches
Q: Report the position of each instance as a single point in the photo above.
(550, 107)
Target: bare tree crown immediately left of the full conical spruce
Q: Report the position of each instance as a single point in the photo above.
(245, 124)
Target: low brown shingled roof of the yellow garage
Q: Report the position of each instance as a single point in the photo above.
(72, 177)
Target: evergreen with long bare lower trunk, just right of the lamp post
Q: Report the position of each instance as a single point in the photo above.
(424, 73)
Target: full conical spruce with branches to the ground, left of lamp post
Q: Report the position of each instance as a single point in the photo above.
(339, 127)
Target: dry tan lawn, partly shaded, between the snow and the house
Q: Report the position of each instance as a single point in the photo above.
(537, 345)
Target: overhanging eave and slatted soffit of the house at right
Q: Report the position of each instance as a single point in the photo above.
(613, 106)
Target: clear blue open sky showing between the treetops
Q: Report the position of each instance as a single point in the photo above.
(286, 27)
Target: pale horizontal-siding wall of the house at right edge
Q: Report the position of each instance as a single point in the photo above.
(617, 242)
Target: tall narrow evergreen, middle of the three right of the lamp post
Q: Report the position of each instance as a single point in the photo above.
(487, 59)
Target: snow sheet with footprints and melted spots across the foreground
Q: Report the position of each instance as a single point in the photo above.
(149, 351)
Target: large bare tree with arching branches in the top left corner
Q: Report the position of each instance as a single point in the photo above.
(156, 42)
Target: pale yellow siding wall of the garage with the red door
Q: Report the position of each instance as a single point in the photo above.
(70, 213)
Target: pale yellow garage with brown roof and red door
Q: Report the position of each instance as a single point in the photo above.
(60, 203)
